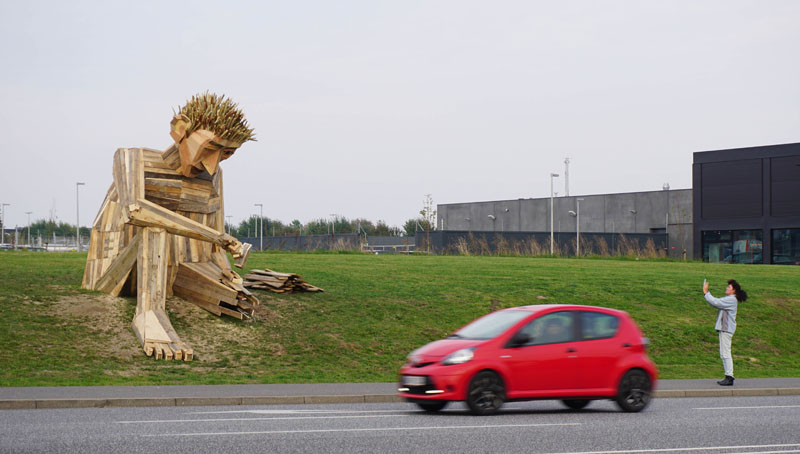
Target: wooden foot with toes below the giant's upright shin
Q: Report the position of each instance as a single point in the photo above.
(158, 337)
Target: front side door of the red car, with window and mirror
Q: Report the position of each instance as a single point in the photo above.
(547, 361)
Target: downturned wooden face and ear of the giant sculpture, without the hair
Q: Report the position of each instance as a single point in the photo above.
(201, 150)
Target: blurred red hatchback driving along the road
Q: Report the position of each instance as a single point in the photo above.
(572, 353)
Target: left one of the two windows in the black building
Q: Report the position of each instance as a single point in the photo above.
(733, 246)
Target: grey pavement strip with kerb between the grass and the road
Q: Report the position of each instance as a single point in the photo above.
(31, 404)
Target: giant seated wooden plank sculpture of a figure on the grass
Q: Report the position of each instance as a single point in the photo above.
(161, 229)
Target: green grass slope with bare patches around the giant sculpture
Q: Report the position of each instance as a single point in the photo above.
(375, 309)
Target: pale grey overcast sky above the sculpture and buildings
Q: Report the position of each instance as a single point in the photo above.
(362, 108)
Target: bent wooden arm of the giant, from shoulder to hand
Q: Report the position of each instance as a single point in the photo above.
(129, 182)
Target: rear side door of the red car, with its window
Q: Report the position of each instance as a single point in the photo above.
(598, 351)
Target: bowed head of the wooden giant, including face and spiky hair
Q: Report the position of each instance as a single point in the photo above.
(208, 130)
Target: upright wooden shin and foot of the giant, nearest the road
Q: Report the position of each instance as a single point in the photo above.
(150, 322)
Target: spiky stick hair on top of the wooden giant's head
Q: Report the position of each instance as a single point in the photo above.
(218, 115)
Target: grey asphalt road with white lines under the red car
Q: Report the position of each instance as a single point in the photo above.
(767, 424)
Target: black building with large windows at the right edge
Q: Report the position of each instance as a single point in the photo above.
(747, 205)
